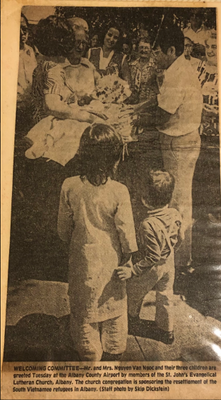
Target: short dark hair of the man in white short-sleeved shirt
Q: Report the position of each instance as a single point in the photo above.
(171, 36)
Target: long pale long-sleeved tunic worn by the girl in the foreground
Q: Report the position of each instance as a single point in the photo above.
(97, 221)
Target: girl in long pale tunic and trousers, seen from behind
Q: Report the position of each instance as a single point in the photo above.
(95, 218)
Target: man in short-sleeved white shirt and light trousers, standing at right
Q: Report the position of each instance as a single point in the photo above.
(179, 118)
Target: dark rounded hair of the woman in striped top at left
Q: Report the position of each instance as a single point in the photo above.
(54, 37)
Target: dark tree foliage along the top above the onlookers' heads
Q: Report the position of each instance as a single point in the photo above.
(131, 19)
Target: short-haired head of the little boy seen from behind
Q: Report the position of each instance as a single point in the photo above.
(159, 188)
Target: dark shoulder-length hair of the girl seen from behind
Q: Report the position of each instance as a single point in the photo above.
(100, 148)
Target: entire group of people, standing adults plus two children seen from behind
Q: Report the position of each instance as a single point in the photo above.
(172, 99)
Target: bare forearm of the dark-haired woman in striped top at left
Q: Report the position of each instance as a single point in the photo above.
(59, 109)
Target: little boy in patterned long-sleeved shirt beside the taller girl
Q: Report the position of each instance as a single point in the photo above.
(159, 233)
